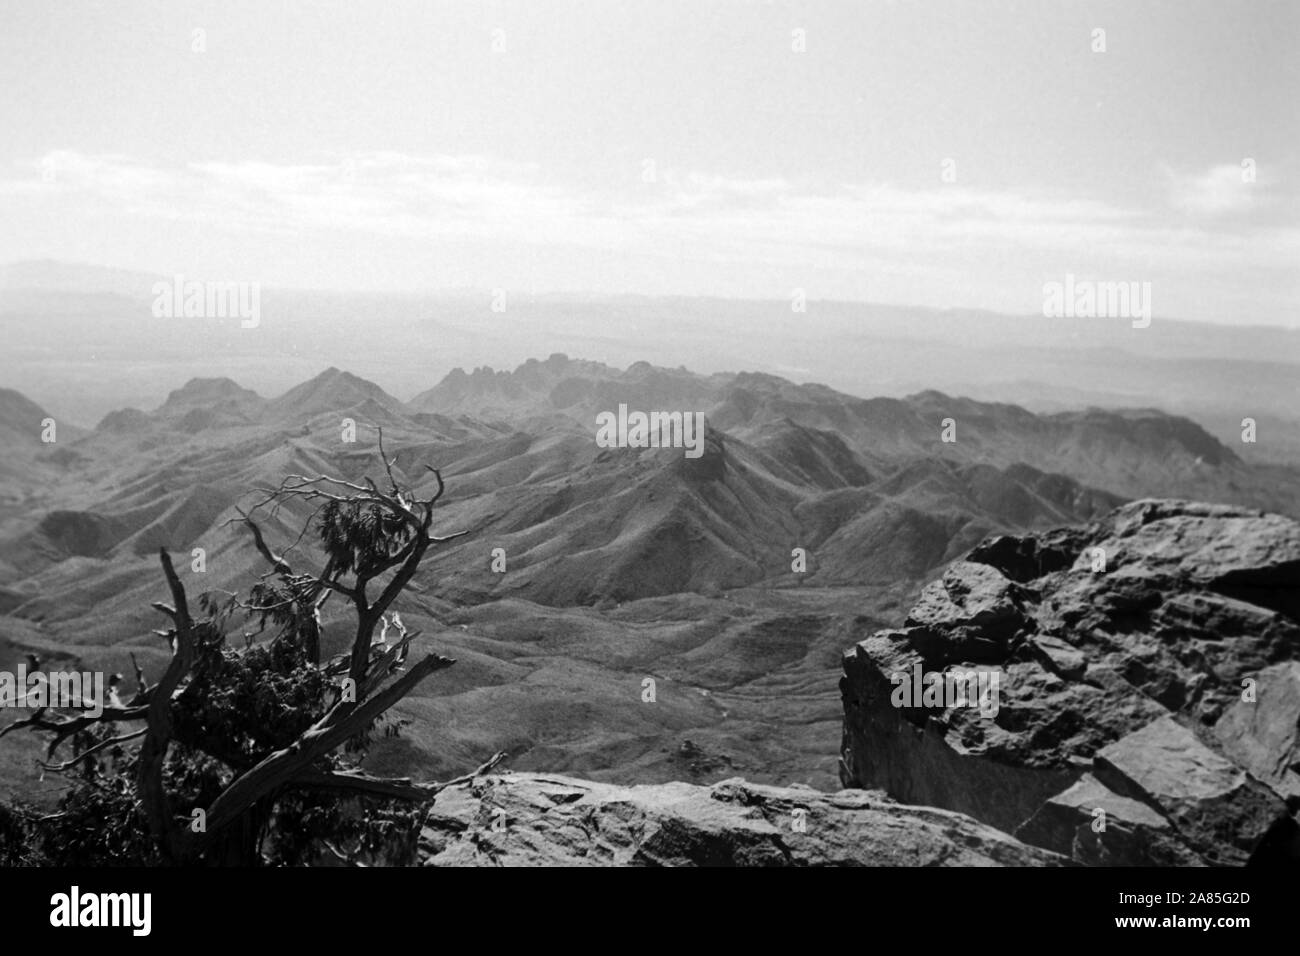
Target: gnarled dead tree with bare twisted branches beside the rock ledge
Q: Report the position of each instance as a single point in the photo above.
(374, 540)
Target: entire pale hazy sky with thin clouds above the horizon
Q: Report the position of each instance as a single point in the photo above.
(666, 148)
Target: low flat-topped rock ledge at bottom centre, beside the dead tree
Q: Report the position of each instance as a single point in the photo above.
(536, 820)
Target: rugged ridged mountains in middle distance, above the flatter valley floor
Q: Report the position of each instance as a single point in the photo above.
(785, 466)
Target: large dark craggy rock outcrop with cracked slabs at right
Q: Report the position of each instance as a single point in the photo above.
(1150, 698)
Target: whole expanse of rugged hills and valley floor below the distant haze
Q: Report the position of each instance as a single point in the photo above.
(622, 564)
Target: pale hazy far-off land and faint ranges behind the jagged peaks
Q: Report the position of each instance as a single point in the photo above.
(83, 341)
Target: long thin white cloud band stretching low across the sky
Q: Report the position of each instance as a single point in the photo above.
(765, 223)
